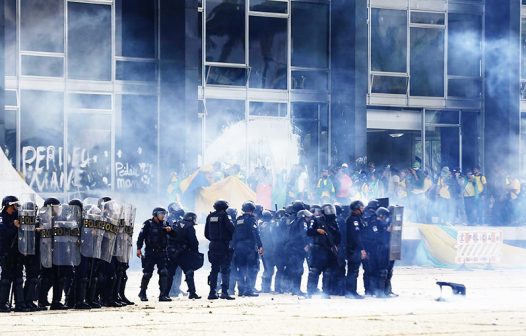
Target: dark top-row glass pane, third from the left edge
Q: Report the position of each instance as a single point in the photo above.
(136, 25)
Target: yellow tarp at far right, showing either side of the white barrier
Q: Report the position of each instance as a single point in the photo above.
(442, 246)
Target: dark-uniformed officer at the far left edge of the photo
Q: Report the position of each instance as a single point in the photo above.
(10, 257)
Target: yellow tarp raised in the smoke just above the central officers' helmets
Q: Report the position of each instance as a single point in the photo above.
(231, 189)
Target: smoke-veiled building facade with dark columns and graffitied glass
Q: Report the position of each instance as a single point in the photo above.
(116, 95)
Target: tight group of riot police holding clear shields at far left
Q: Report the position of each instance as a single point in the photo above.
(79, 251)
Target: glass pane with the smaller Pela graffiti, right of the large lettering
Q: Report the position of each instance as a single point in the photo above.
(136, 144)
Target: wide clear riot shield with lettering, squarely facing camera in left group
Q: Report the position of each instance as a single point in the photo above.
(66, 235)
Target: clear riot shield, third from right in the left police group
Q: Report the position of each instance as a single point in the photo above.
(91, 235)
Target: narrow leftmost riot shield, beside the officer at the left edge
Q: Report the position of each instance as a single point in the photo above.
(27, 215)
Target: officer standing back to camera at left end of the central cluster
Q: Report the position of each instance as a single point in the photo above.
(219, 230)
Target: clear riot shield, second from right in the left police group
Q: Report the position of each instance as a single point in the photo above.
(110, 226)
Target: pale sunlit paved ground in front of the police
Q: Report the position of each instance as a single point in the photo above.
(495, 305)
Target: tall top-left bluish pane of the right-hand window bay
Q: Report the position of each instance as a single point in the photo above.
(388, 40)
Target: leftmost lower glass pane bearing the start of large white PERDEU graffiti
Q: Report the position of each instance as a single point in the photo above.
(42, 139)
